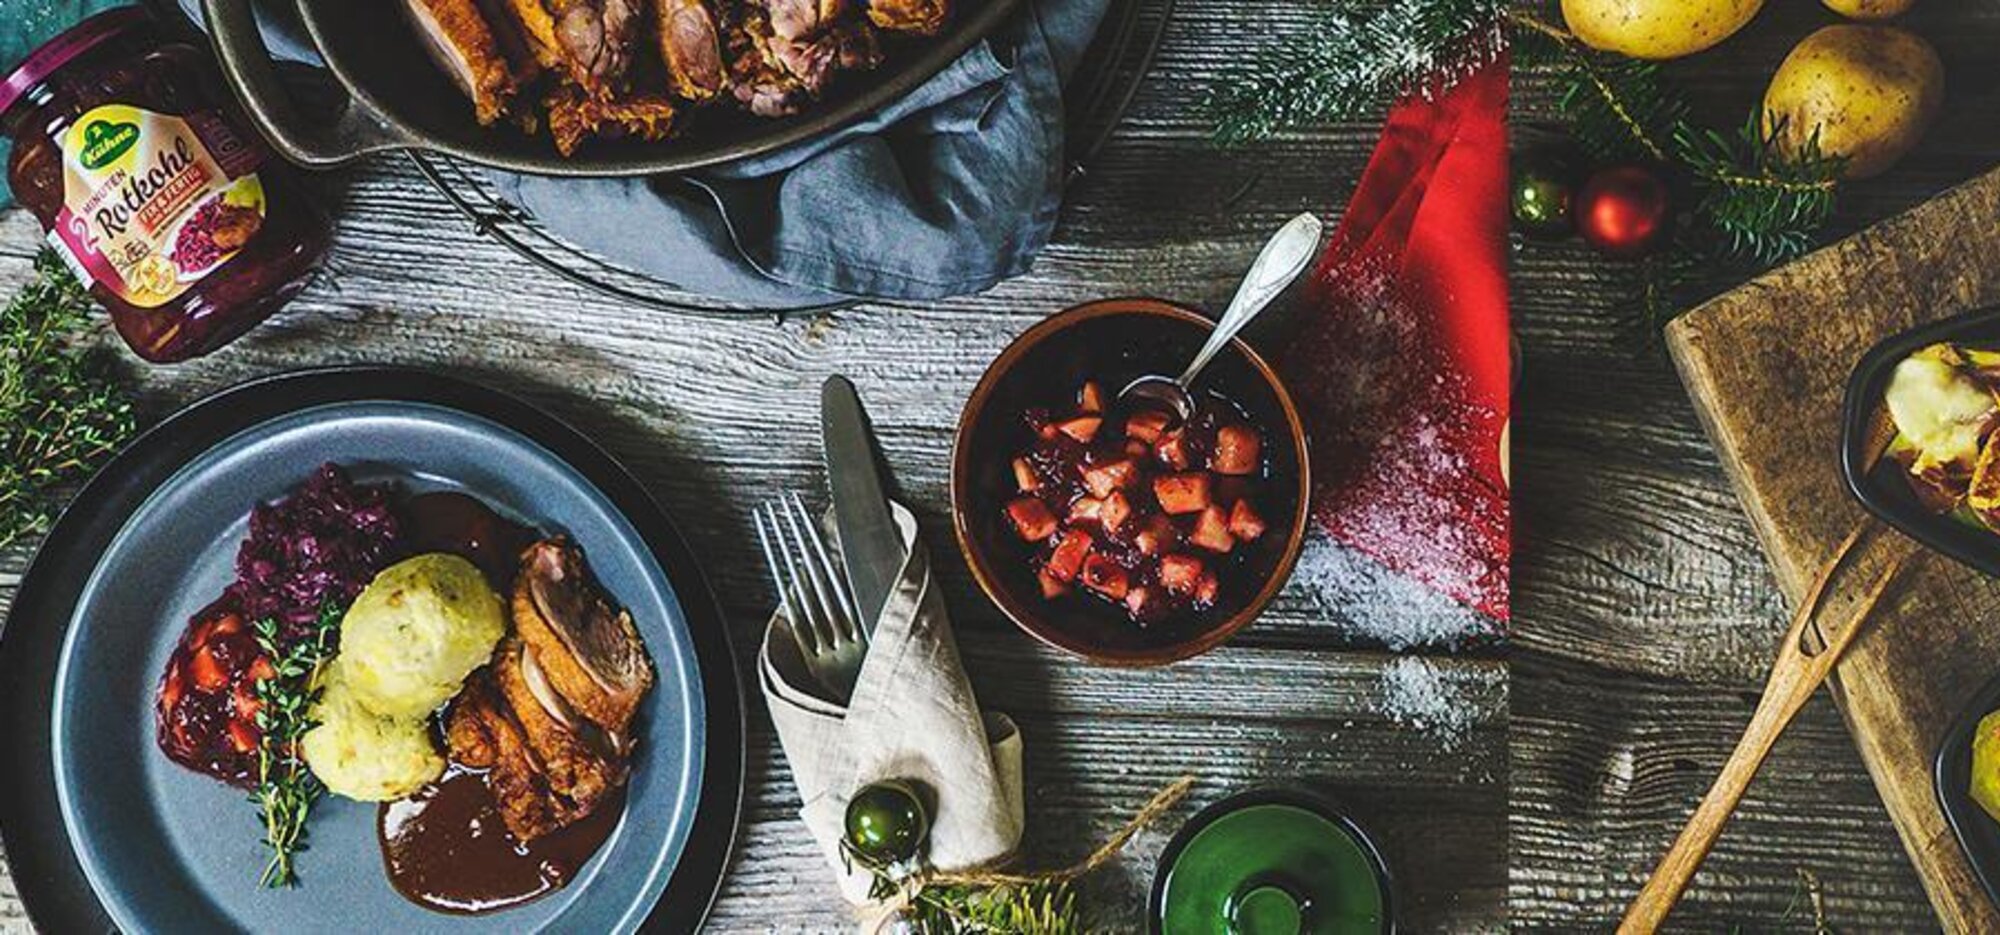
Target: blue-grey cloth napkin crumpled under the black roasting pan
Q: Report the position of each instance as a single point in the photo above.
(943, 193)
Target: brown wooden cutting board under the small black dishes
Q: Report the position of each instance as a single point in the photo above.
(1767, 367)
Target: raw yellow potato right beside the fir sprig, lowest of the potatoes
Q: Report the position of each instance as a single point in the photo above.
(1869, 91)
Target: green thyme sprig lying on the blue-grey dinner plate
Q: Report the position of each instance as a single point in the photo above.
(287, 788)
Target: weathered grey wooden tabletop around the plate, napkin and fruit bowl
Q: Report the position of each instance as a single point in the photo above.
(717, 417)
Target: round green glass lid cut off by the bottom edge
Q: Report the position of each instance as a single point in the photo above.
(1271, 862)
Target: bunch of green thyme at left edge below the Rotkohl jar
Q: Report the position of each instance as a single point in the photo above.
(63, 405)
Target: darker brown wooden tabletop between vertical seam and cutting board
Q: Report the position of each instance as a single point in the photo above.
(1647, 610)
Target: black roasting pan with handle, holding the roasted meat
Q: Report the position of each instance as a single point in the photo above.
(399, 101)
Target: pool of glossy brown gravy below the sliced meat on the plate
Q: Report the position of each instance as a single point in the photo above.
(449, 850)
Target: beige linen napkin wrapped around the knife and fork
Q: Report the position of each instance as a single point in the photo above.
(913, 718)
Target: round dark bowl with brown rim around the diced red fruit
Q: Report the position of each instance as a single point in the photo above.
(1113, 343)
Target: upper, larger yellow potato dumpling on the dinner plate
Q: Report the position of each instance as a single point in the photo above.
(417, 632)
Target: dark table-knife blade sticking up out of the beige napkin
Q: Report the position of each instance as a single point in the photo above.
(871, 548)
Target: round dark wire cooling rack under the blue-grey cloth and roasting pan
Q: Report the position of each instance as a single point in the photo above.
(1099, 97)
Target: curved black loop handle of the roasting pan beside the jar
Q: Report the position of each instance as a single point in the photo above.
(245, 61)
